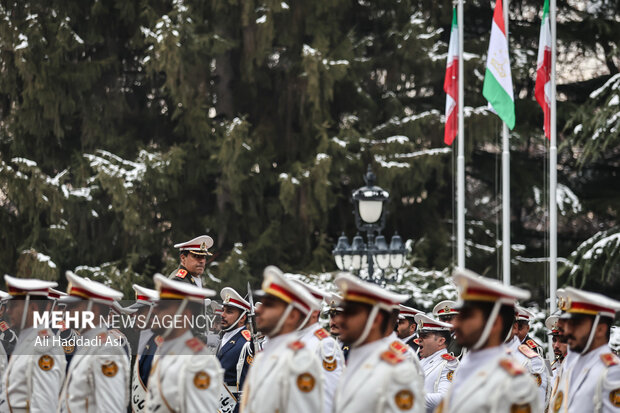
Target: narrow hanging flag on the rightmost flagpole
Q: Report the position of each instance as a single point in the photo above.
(543, 69)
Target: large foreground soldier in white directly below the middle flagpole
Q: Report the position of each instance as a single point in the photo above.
(488, 379)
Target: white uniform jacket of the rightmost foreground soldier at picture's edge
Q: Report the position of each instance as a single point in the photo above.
(591, 385)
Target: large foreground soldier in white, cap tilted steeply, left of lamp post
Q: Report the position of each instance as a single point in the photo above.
(286, 375)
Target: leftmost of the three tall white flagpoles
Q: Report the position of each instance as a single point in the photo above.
(460, 198)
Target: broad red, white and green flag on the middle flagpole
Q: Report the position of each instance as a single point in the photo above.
(497, 87)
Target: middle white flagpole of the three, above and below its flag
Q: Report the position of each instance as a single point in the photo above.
(505, 185)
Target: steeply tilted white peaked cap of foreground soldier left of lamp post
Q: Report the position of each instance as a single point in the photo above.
(276, 284)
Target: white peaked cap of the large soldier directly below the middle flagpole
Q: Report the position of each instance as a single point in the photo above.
(473, 287)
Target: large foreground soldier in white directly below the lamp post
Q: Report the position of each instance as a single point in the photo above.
(377, 377)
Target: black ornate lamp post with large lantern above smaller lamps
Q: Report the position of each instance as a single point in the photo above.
(369, 214)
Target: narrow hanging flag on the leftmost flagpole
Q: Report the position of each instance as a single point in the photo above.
(451, 84)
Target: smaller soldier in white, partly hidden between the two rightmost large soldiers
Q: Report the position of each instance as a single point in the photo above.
(526, 353)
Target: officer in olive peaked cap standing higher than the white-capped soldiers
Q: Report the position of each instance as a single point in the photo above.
(193, 256)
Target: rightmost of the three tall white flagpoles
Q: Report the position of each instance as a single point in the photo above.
(553, 208)
